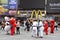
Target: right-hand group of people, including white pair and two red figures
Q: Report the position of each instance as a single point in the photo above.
(39, 27)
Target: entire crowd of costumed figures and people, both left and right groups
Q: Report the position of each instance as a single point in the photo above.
(38, 27)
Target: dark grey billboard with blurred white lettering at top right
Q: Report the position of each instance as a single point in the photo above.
(53, 6)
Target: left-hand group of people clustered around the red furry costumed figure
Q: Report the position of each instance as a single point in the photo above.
(10, 24)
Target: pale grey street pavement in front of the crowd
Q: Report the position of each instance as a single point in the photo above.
(27, 36)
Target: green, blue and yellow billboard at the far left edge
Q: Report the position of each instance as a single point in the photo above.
(4, 7)
